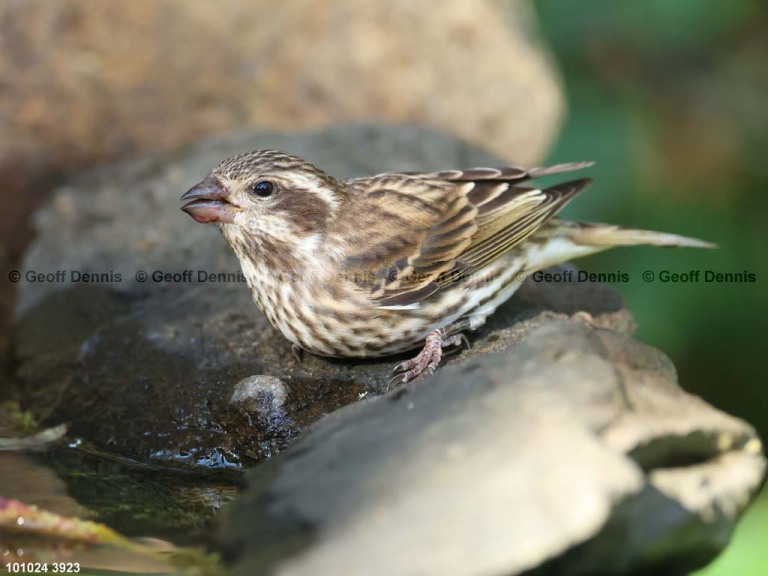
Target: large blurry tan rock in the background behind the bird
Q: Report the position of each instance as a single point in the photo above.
(88, 80)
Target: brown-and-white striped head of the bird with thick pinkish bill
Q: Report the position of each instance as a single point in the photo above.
(266, 194)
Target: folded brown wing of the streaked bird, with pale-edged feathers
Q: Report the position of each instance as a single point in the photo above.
(424, 231)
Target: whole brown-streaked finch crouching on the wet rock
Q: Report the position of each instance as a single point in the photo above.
(381, 265)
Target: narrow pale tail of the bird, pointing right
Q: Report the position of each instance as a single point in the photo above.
(607, 235)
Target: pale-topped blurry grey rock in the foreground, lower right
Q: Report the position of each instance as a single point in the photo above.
(574, 452)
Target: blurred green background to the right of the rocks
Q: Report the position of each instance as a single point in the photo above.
(670, 97)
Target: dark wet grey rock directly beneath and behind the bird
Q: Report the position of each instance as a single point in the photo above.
(146, 369)
